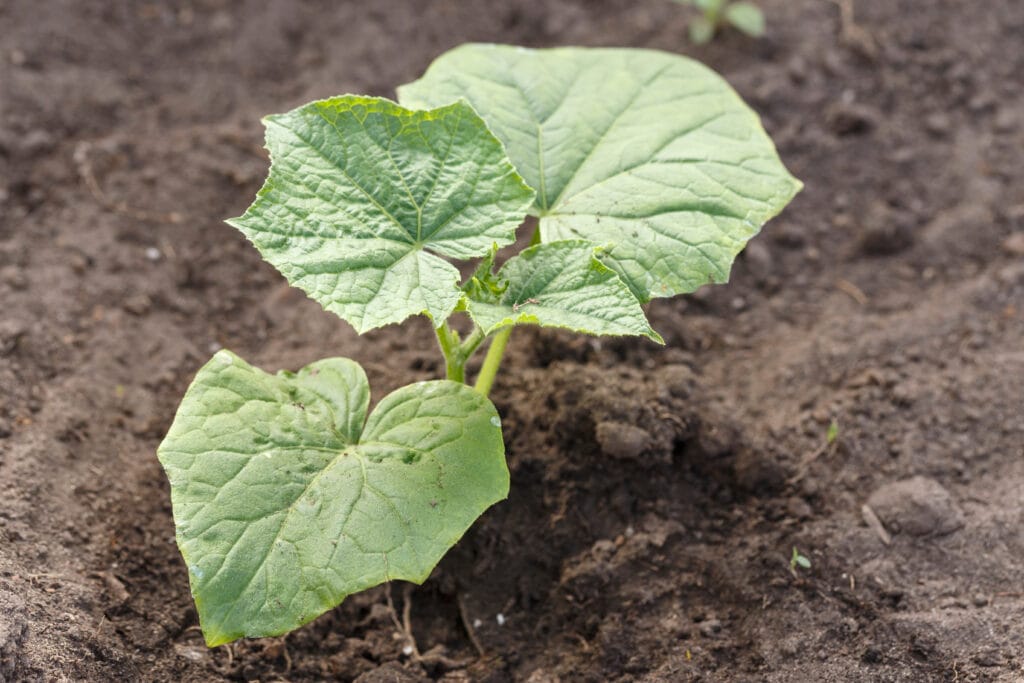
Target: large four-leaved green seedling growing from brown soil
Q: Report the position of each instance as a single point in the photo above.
(648, 175)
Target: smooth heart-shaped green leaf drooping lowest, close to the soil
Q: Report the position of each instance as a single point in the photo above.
(285, 503)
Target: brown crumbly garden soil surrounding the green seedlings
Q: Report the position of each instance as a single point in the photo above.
(658, 494)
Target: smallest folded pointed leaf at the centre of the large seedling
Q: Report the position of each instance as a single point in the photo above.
(563, 285)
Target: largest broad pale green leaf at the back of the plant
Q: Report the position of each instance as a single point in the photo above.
(650, 153)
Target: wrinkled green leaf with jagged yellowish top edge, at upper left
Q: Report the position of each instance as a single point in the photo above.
(364, 196)
